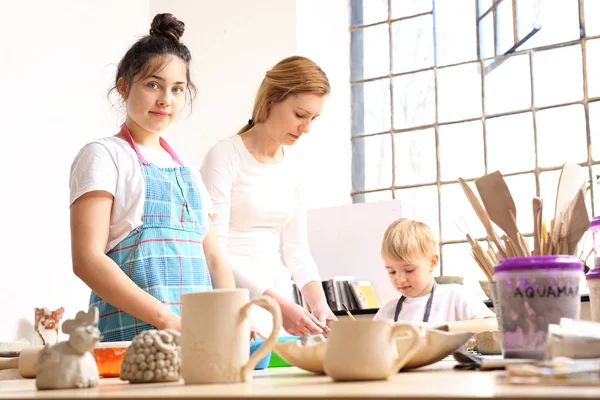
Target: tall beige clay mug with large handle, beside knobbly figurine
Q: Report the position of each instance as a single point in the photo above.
(215, 335)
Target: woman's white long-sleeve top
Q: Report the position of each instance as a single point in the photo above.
(260, 217)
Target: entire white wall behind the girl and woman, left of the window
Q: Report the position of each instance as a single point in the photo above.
(57, 62)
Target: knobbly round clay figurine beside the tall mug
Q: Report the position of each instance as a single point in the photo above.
(153, 356)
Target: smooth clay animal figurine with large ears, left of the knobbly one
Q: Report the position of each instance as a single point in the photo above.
(71, 364)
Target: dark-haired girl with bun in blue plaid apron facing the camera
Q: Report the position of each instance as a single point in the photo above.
(140, 218)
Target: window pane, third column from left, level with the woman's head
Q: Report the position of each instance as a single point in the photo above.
(460, 82)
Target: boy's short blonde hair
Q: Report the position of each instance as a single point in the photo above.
(405, 239)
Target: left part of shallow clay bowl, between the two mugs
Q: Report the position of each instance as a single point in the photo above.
(309, 358)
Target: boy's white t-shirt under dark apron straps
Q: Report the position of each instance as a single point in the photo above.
(450, 303)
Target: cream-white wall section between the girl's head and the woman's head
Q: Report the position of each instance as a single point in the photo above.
(233, 43)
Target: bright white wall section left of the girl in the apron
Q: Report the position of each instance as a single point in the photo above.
(56, 66)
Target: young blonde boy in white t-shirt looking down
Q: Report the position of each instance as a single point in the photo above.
(409, 251)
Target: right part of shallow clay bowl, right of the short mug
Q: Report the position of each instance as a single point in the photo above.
(435, 346)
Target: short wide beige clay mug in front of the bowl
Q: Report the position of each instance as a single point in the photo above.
(367, 350)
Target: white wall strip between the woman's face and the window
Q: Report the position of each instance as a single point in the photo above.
(323, 36)
